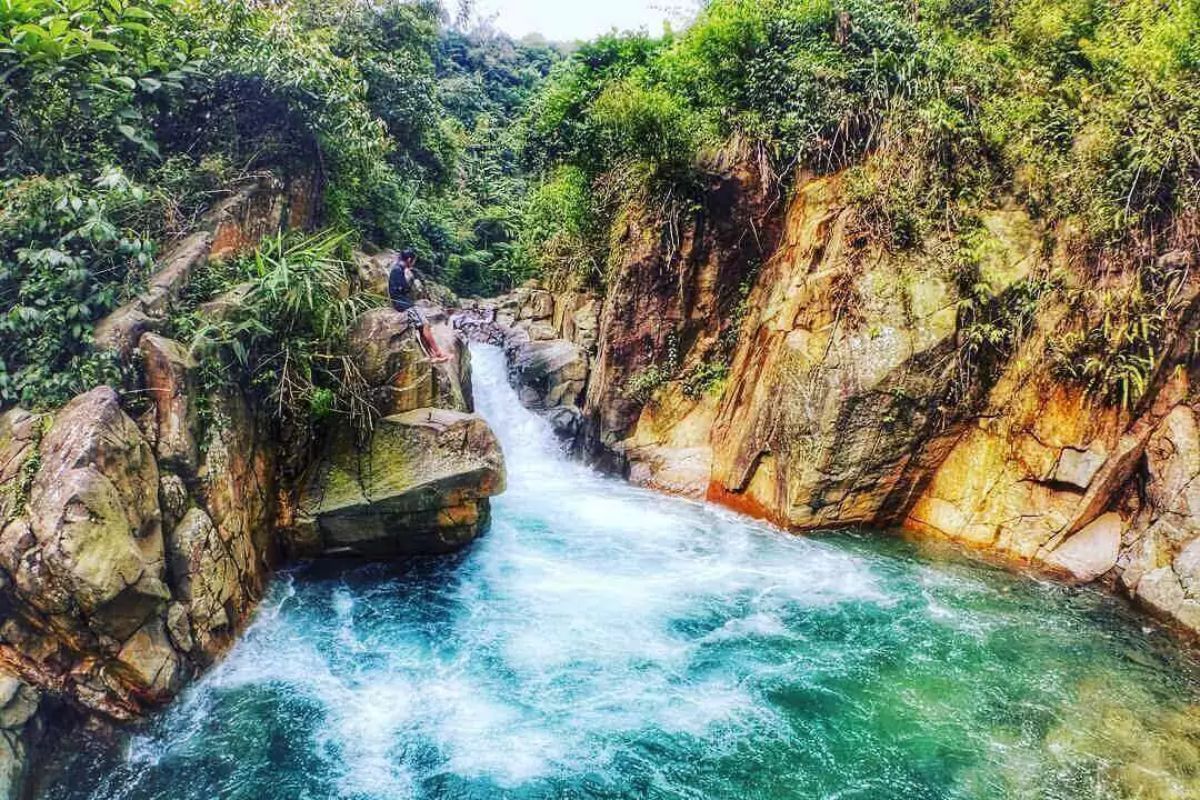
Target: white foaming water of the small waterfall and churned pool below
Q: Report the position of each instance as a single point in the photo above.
(587, 615)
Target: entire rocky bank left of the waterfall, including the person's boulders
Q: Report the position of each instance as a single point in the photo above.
(140, 525)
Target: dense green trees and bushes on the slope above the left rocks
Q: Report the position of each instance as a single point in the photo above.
(188, 97)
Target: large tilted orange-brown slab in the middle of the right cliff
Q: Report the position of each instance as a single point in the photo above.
(841, 381)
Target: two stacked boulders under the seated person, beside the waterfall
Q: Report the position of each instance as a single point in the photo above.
(421, 483)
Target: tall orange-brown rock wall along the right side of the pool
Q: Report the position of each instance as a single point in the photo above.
(802, 372)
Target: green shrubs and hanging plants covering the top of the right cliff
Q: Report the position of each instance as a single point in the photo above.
(1088, 113)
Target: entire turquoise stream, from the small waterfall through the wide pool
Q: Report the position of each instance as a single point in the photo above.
(605, 642)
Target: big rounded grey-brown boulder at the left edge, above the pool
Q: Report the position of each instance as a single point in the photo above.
(82, 561)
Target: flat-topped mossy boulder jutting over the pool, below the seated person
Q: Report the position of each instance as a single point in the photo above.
(419, 486)
